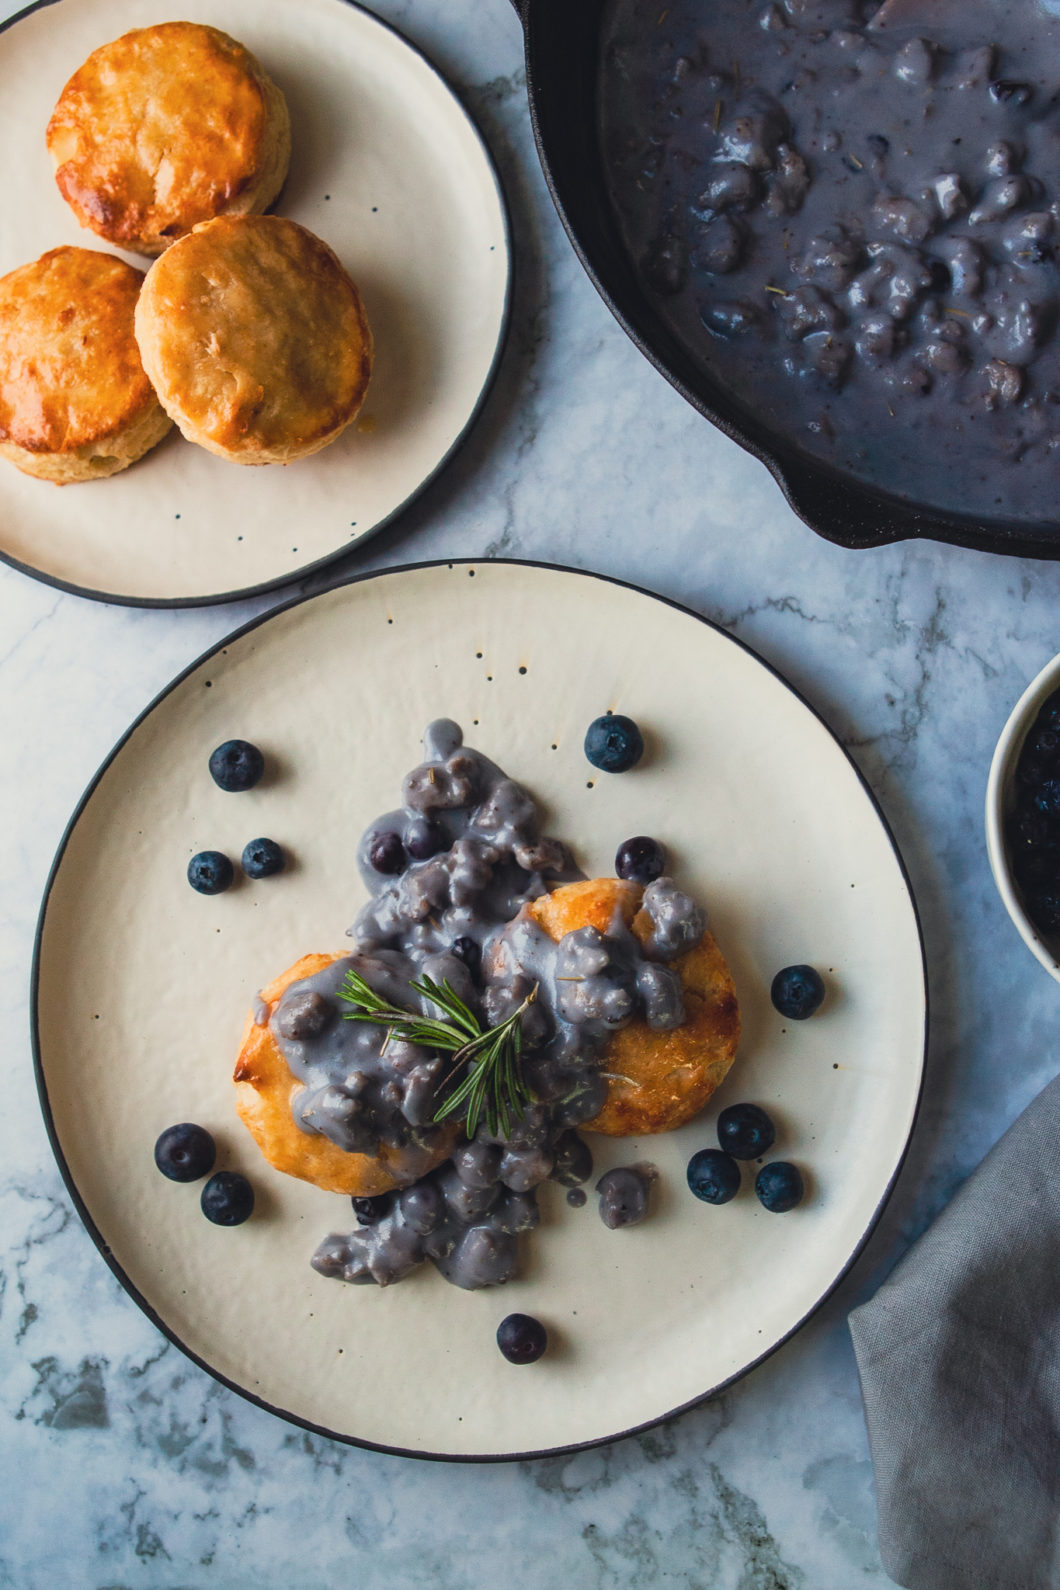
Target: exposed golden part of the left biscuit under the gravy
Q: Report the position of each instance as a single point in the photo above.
(277, 1107)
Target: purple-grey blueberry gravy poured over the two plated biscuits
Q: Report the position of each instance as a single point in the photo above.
(463, 861)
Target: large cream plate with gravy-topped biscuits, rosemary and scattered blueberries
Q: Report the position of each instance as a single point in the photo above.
(161, 1006)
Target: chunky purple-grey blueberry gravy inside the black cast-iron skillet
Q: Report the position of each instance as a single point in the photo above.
(849, 214)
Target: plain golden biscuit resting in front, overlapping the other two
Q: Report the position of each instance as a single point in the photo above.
(255, 339)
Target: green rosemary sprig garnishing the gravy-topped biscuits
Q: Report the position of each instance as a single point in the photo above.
(492, 1084)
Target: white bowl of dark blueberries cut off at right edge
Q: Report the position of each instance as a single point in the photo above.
(1024, 816)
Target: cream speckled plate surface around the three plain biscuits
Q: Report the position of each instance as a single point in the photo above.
(390, 171)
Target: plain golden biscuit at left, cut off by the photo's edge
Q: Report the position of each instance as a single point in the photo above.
(75, 403)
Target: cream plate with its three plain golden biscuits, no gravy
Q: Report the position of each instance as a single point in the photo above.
(255, 277)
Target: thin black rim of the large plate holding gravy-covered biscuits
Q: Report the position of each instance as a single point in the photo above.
(96, 1235)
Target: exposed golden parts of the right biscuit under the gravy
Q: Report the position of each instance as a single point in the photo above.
(660, 1080)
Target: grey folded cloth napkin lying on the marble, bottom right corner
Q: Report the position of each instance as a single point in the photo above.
(959, 1355)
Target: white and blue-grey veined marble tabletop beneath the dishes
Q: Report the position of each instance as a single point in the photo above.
(126, 1467)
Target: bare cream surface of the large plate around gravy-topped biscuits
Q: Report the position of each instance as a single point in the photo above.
(142, 988)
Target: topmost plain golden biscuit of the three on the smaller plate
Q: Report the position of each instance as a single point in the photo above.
(164, 128)
